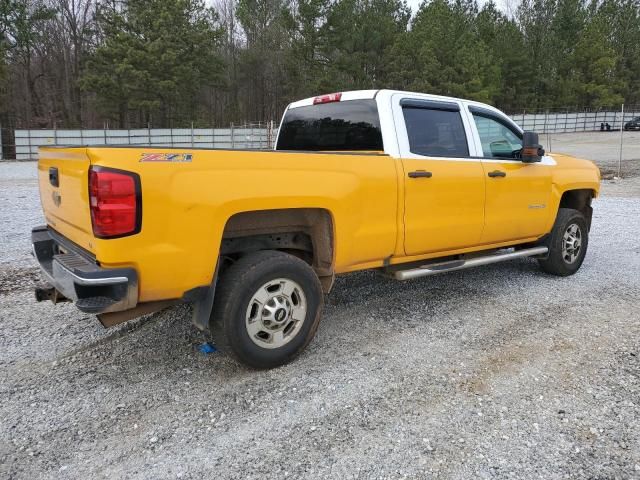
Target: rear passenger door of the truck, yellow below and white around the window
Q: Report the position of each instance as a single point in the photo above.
(444, 187)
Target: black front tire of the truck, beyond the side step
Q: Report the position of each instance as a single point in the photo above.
(565, 262)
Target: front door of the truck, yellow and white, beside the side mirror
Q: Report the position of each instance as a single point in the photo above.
(517, 199)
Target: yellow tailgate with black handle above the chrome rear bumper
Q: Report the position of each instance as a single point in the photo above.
(64, 193)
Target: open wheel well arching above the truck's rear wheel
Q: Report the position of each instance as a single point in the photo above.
(304, 232)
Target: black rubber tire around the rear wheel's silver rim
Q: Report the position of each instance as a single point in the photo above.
(236, 289)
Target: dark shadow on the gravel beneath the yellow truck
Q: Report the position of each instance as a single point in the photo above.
(367, 299)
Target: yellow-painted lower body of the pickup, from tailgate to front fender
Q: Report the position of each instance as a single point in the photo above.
(187, 205)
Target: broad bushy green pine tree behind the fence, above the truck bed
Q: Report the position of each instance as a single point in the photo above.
(154, 58)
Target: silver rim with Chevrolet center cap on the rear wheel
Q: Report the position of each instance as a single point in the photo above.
(275, 313)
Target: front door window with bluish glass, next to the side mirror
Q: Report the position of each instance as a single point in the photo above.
(498, 139)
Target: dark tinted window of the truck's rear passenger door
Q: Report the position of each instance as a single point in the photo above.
(435, 132)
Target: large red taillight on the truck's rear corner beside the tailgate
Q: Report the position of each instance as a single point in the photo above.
(114, 200)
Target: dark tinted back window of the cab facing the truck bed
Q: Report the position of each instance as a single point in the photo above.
(348, 125)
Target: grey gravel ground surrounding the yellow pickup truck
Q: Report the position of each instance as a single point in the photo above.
(497, 372)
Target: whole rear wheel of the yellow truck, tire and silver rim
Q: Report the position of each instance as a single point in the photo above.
(267, 309)
